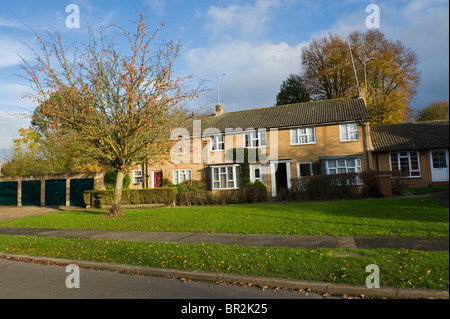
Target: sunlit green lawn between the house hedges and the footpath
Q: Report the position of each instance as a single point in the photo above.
(414, 217)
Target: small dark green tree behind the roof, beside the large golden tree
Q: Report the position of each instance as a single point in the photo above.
(292, 90)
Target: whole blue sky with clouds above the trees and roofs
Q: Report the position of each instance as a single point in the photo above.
(253, 45)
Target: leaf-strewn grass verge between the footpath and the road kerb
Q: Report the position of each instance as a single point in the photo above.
(398, 268)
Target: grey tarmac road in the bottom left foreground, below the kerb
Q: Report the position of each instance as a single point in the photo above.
(26, 280)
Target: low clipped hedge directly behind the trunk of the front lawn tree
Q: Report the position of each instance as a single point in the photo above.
(104, 198)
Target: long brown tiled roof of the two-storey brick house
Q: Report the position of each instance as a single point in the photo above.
(300, 114)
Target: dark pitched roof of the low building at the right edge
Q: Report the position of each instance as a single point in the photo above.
(410, 136)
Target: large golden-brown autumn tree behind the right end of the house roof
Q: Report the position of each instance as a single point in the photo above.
(387, 69)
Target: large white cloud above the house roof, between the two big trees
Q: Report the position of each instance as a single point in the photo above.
(253, 72)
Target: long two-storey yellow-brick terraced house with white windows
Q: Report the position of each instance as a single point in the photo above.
(283, 142)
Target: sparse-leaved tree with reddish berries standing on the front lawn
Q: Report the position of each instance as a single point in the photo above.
(116, 104)
